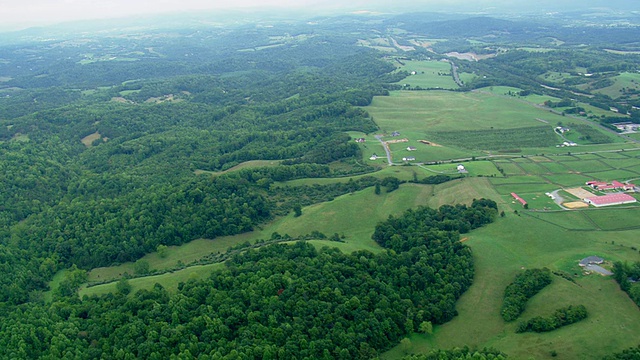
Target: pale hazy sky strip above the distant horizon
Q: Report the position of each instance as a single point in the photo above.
(24, 13)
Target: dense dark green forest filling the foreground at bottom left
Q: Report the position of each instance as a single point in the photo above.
(279, 301)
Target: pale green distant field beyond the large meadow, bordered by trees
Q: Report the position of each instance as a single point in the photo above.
(428, 75)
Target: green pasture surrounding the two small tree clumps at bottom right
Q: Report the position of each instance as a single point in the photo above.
(514, 243)
